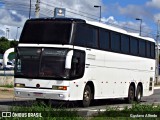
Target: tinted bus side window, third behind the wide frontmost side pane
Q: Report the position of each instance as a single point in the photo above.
(124, 44)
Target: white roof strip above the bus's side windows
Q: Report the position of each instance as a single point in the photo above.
(116, 29)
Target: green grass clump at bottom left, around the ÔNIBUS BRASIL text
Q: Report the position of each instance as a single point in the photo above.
(43, 112)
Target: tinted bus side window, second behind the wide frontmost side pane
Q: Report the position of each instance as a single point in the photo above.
(115, 41)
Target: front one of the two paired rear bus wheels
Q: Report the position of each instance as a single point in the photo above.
(131, 94)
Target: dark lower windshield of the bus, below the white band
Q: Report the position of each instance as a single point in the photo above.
(41, 63)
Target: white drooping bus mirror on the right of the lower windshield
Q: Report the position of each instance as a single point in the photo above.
(69, 59)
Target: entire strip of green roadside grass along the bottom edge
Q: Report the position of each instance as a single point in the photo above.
(48, 112)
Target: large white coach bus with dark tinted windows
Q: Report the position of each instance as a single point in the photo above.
(76, 60)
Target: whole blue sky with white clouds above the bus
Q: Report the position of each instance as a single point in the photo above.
(120, 13)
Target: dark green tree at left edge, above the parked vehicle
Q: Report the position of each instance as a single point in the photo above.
(4, 44)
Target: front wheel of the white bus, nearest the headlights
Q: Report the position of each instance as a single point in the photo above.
(87, 96)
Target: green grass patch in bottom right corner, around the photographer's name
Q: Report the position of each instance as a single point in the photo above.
(136, 112)
